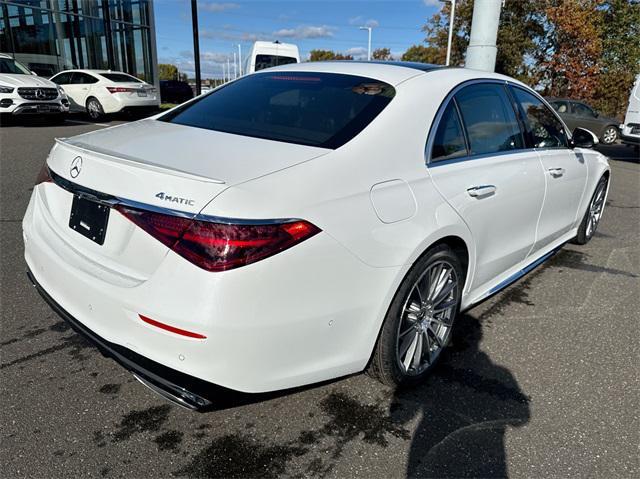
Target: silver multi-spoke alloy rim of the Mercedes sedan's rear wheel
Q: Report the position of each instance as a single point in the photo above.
(427, 318)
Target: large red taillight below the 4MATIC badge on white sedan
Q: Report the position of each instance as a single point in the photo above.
(220, 246)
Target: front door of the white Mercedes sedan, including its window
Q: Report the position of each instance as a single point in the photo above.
(565, 169)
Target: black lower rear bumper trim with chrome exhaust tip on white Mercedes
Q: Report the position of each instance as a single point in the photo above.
(184, 390)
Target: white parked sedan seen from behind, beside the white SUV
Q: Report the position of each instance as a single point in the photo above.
(100, 92)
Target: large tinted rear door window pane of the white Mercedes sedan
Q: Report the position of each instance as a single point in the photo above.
(489, 119)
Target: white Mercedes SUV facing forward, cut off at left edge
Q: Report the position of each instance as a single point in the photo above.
(24, 93)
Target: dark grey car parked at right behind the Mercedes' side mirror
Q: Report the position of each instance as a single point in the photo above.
(579, 114)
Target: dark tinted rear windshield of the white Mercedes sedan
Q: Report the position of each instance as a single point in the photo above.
(317, 109)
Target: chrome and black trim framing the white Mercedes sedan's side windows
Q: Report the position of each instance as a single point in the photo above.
(450, 97)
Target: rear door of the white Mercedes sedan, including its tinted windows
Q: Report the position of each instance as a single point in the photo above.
(478, 162)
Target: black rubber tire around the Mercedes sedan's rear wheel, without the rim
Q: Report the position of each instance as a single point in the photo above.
(385, 364)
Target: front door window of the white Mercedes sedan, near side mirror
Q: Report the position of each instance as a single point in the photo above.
(543, 127)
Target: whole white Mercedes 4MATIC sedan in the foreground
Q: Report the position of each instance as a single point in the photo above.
(306, 222)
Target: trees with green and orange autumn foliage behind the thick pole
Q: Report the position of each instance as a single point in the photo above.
(582, 49)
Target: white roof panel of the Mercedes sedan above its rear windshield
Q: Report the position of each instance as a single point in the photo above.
(390, 72)
